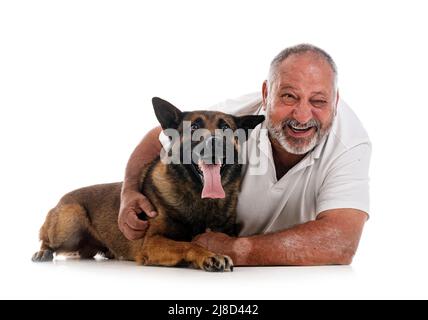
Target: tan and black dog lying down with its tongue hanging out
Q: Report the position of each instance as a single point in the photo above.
(189, 198)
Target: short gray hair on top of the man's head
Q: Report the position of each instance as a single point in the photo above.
(300, 49)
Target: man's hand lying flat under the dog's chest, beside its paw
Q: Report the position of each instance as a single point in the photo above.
(217, 242)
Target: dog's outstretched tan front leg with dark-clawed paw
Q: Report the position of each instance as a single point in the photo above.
(159, 250)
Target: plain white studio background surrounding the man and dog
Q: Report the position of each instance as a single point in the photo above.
(76, 79)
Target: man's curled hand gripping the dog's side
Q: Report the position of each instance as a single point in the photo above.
(133, 203)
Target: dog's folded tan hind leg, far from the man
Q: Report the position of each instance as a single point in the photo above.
(66, 229)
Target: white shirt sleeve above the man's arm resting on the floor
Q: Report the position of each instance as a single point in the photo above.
(347, 183)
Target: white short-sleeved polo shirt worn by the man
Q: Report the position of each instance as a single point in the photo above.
(333, 175)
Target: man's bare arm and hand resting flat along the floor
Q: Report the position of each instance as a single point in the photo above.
(331, 239)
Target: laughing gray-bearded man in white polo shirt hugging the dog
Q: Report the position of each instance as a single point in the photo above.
(311, 205)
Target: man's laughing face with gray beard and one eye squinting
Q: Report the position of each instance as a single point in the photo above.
(301, 102)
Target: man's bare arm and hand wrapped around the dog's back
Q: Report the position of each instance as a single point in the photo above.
(132, 201)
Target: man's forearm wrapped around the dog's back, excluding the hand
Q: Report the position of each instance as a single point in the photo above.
(147, 150)
